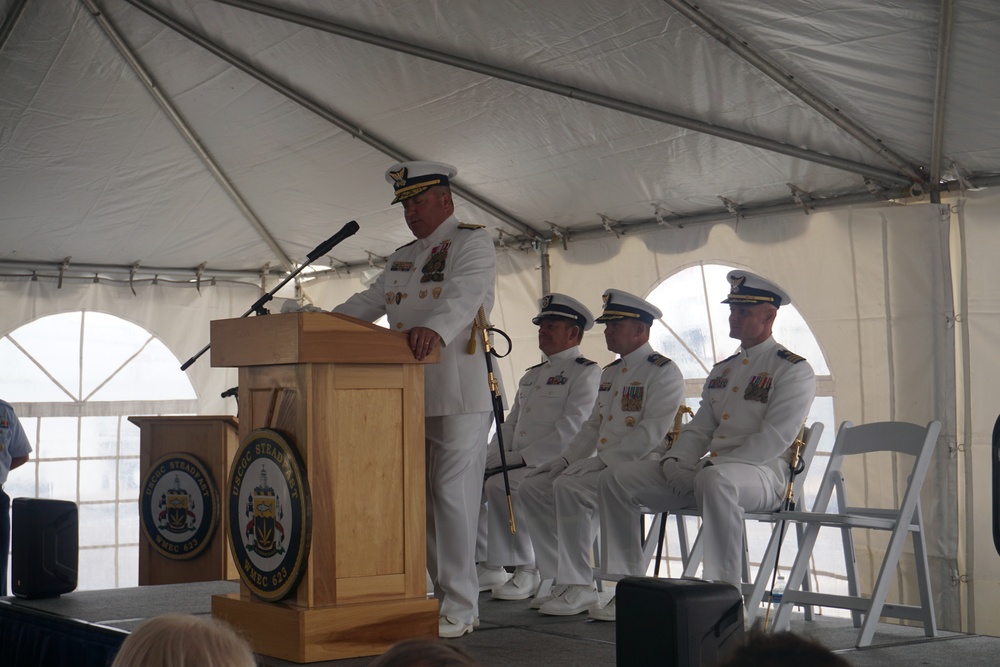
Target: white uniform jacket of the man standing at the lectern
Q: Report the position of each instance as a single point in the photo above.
(439, 282)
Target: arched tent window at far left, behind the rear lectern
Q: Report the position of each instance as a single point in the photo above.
(74, 378)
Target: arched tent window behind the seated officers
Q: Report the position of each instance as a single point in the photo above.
(694, 333)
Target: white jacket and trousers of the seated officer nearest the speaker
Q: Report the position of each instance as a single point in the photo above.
(553, 400)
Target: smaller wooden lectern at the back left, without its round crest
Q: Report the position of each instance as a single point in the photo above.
(212, 440)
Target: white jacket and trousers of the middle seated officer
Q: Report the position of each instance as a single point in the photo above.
(636, 402)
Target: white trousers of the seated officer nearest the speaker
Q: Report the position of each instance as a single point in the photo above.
(504, 548)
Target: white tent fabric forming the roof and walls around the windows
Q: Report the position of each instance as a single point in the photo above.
(128, 151)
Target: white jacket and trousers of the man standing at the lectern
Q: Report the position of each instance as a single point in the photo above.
(440, 282)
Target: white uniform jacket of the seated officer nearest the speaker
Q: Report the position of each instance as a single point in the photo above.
(553, 399)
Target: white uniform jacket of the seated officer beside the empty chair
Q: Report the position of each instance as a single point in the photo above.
(752, 406)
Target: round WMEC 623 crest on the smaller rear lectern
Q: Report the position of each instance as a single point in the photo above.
(179, 506)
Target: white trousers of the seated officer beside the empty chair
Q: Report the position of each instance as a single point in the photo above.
(722, 492)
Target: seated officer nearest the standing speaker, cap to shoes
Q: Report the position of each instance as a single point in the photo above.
(553, 400)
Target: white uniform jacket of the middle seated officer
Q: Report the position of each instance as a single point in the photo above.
(636, 402)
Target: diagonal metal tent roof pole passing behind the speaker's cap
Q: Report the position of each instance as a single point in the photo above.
(323, 112)
